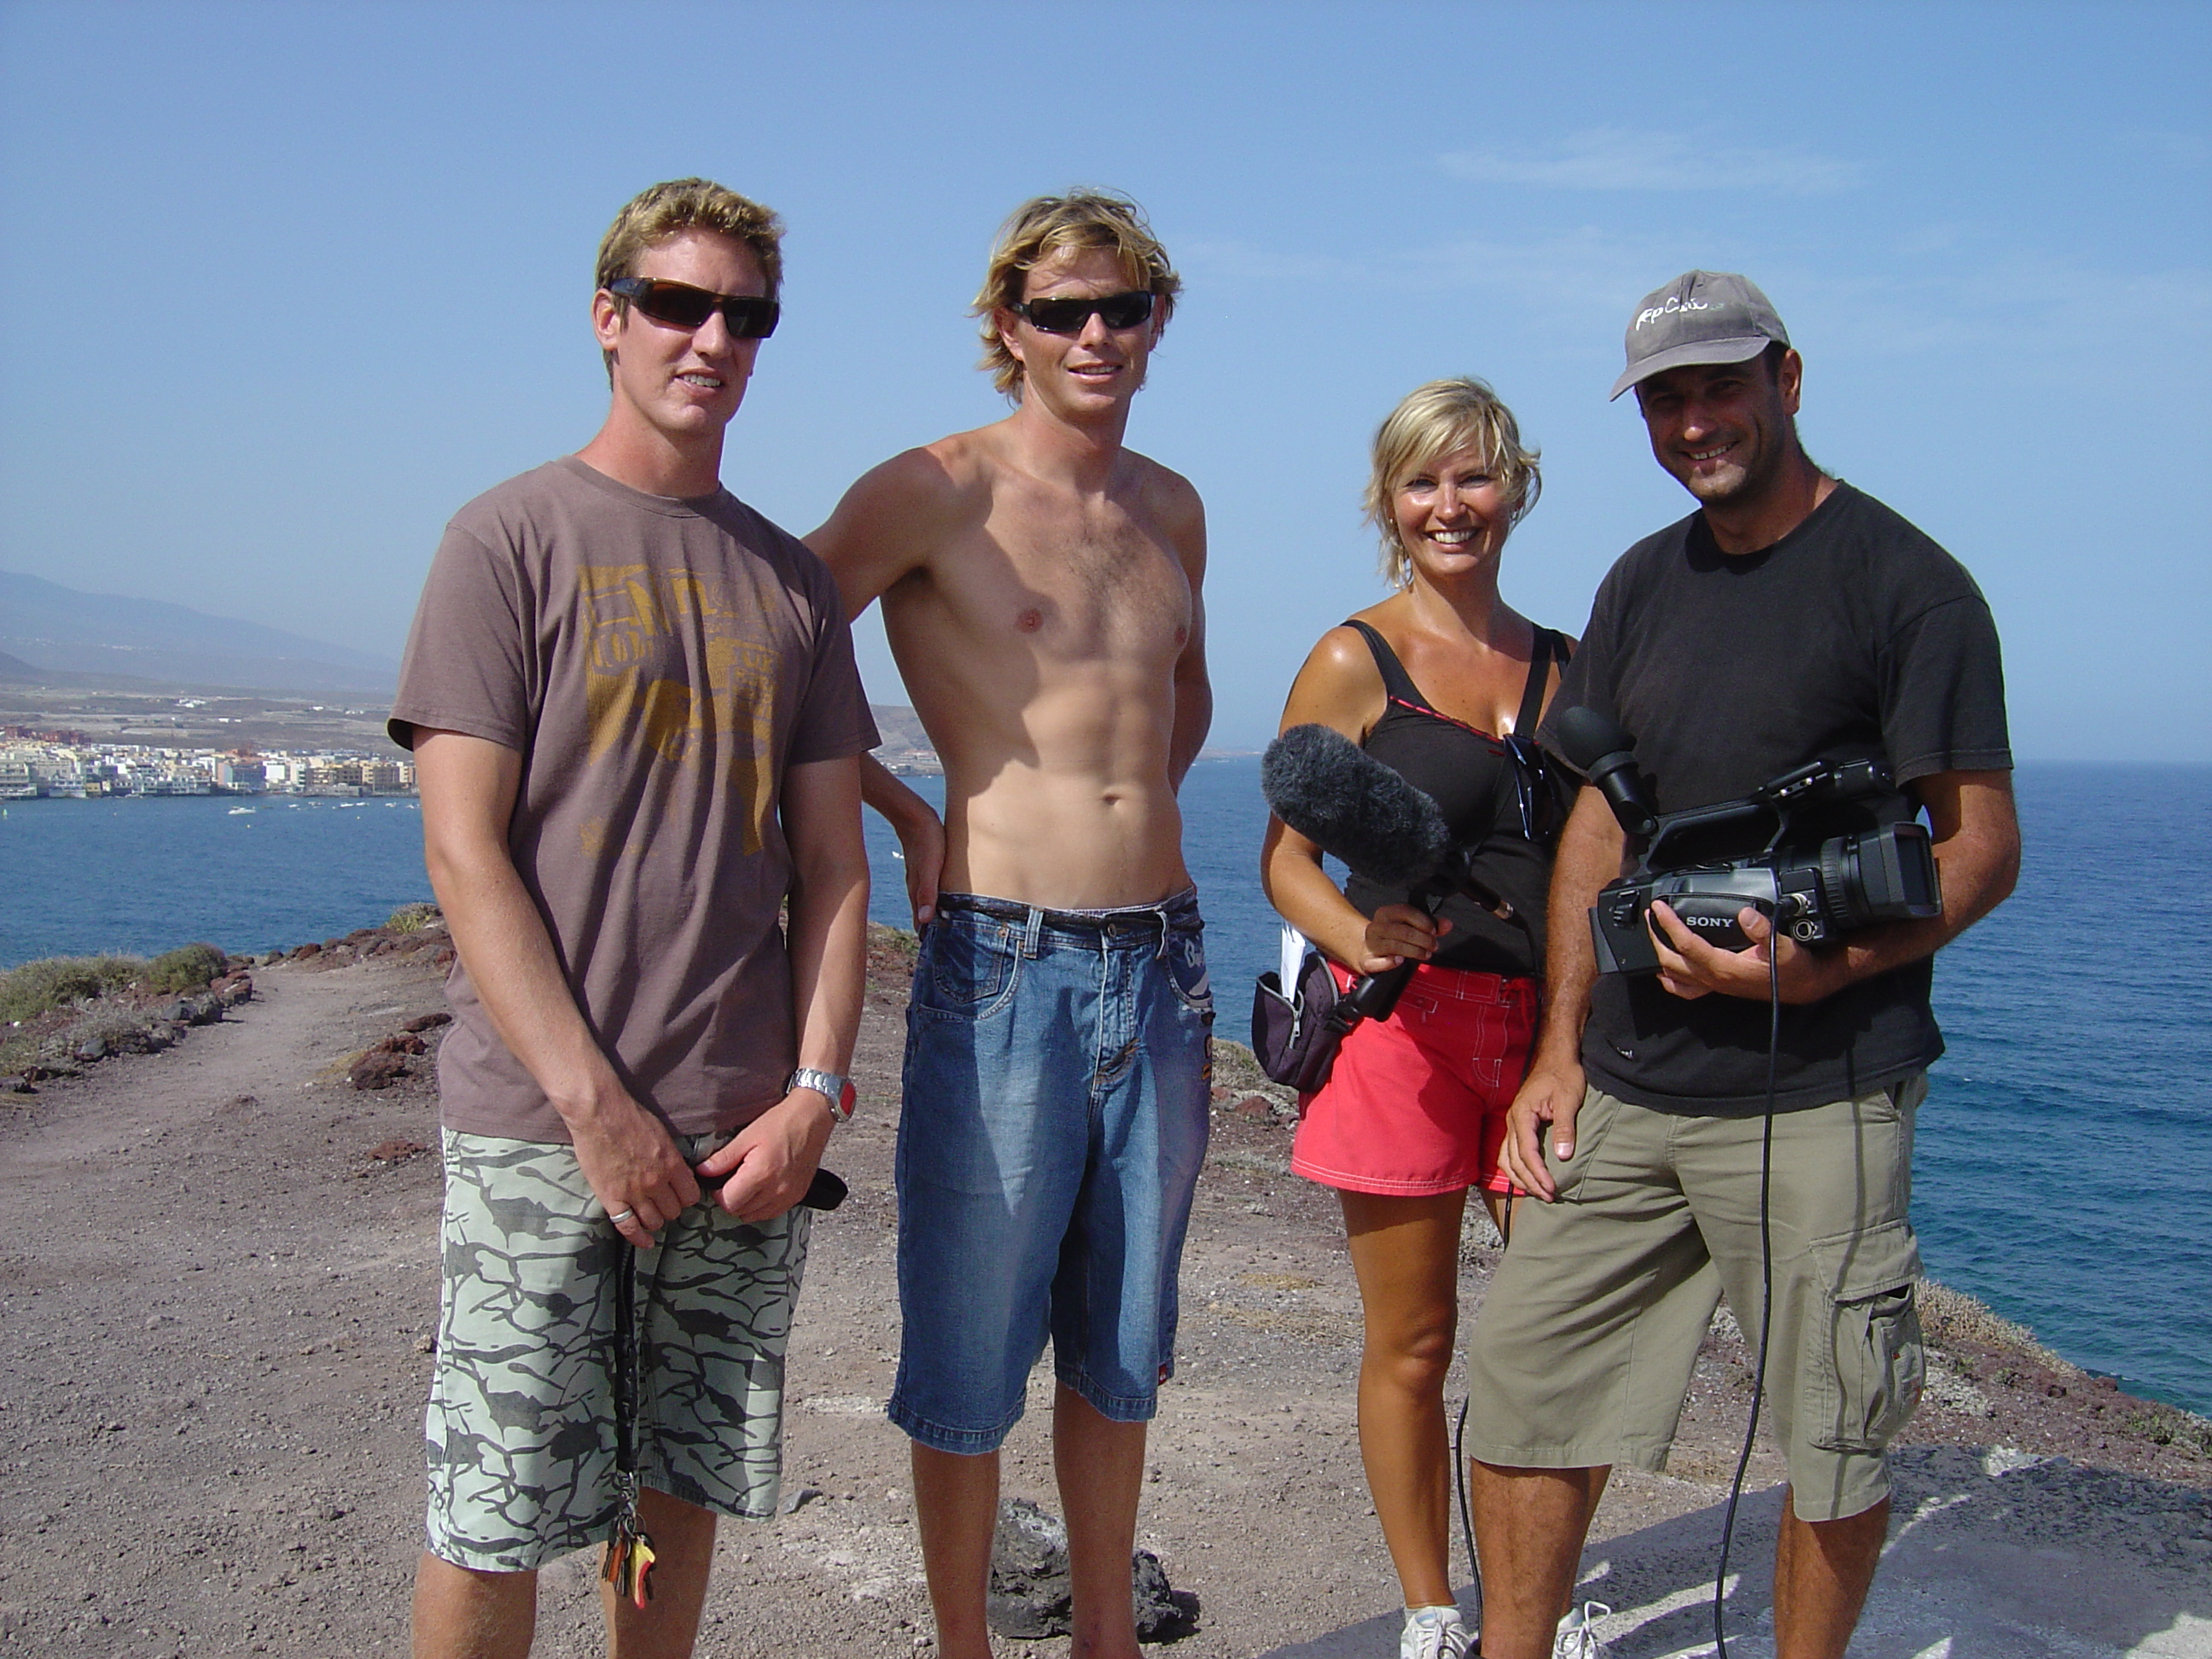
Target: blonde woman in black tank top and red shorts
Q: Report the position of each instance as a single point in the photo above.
(1441, 682)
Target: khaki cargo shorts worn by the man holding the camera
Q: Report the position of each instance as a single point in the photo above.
(1589, 1335)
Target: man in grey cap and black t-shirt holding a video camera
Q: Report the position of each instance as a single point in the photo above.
(1788, 618)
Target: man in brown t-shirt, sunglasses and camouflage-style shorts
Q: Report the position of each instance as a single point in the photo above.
(638, 727)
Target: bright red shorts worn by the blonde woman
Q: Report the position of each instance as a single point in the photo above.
(1417, 1103)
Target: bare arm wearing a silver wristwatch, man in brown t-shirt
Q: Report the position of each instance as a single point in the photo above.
(773, 1158)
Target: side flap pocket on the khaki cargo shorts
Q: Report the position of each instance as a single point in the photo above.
(1864, 1361)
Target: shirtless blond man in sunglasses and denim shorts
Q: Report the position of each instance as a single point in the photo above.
(1041, 589)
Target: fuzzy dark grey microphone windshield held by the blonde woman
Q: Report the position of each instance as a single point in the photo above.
(1353, 806)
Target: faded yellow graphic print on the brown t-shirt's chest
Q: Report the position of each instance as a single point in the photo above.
(669, 671)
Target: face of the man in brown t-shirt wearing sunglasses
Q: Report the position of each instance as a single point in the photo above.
(682, 384)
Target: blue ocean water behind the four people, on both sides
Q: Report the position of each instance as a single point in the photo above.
(2065, 1160)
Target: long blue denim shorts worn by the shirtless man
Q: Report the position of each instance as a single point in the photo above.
(1052, 1138)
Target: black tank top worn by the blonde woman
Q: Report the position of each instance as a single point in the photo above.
(1472, 778)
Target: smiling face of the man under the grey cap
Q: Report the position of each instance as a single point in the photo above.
(1726, 432)
